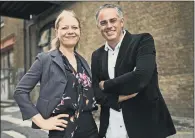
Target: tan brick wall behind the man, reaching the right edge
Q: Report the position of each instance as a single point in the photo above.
(171, 24)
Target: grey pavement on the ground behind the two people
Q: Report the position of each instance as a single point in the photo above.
(12, 125)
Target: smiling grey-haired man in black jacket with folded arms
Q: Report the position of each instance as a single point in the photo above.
(125, 81)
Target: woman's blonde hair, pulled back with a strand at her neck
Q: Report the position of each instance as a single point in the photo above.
(55, 43)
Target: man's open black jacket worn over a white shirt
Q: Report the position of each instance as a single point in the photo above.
(146, 115)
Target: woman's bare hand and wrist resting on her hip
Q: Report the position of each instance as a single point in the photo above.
(52, 123)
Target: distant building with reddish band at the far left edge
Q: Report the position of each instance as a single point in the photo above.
(12, 55)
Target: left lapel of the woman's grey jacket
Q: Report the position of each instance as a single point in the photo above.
(56, 57)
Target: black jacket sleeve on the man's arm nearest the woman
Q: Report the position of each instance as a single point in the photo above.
(101, 97)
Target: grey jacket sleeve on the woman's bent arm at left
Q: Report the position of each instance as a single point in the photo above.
(25, 86)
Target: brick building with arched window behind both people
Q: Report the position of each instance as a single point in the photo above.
(170, 23)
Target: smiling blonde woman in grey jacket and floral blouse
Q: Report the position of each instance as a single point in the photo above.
(66, 98)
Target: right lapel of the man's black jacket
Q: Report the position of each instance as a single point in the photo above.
(124, 45)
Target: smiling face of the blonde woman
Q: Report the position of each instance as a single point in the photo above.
(68, 31)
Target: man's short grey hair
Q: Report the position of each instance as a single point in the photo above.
(105, 6)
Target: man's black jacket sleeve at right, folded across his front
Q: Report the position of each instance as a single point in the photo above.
(135, 81)
